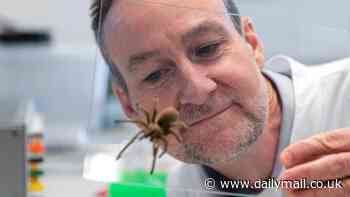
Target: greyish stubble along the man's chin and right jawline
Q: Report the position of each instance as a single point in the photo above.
(251, 128)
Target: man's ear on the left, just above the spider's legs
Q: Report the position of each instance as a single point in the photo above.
(124, 100)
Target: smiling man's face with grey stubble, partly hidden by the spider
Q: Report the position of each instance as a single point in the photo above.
(191, 57)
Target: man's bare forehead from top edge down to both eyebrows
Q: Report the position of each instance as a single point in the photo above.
(134, 26)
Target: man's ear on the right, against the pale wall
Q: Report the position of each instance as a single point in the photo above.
(253, 40)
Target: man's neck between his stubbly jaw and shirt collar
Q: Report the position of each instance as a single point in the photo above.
(258, 161)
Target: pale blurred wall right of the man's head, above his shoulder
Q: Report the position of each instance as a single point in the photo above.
(311, 31)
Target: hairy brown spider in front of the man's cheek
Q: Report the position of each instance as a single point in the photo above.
(156, 127)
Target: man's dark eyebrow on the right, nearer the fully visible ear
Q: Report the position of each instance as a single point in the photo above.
(202, 29)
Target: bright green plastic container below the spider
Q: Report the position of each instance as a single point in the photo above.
(139, 183)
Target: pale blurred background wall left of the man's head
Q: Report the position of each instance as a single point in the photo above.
(59, 76)
